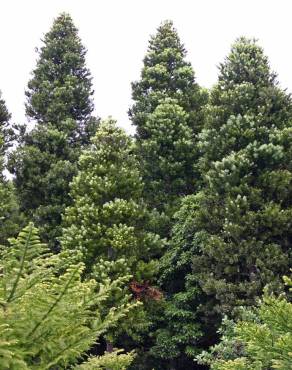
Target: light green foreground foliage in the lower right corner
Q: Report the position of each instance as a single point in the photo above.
(261, 340)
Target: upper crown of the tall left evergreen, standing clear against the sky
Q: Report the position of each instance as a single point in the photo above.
(61, 85)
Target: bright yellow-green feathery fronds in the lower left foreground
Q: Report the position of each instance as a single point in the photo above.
(48, 315)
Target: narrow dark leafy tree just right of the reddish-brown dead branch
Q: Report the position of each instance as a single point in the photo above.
(177, 336)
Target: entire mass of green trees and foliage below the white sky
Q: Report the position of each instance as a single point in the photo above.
(161, 244)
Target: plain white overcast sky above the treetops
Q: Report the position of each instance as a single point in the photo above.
(116, 34)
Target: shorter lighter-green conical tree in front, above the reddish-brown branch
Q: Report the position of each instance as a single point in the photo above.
(107, 218)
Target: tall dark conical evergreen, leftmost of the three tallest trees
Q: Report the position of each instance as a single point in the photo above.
(59, 103)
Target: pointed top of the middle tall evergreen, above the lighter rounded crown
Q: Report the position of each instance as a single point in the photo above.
(165, 74)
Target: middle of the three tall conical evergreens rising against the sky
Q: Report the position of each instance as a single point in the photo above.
(167, 114)
